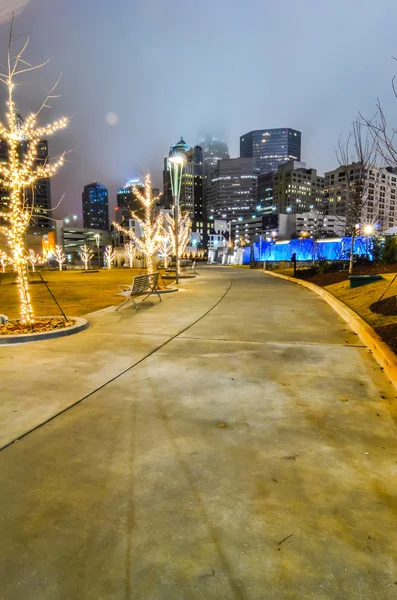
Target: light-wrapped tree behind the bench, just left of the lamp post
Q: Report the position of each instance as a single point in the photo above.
(148, 243)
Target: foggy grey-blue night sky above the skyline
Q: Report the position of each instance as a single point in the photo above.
(167, 69)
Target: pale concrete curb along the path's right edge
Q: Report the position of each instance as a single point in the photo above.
(381, 352)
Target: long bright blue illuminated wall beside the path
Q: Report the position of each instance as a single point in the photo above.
(308, 249)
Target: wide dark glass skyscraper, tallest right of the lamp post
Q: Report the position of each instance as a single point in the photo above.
(271, 147)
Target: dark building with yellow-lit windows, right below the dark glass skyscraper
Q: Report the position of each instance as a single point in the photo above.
(297, 189)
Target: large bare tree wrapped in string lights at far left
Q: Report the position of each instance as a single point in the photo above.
(21, 170)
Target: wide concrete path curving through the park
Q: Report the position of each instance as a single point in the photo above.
(137, 493)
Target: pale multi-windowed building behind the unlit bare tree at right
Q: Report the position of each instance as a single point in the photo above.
(379, 201)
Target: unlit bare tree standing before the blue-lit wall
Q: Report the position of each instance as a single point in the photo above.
(357, 155)
